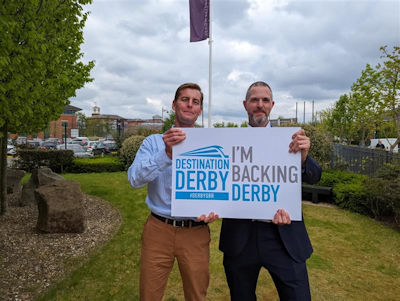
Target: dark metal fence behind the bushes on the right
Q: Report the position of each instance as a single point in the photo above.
(360, 159)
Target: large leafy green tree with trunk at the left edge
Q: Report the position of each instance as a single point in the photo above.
(40, 66)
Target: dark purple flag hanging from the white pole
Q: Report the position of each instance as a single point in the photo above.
(199, 19)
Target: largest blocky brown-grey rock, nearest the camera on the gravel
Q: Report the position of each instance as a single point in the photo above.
(60, 206)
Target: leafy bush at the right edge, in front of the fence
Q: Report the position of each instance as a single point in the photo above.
(383, 196)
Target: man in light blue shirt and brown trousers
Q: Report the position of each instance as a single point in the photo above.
(165, 238)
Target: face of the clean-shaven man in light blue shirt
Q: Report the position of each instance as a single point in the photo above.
(187, 107)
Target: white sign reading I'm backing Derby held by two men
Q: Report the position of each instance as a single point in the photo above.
(236, 173)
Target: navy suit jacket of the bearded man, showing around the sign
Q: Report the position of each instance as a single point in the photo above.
(236, 232)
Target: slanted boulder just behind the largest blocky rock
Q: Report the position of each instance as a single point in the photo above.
(40, 176)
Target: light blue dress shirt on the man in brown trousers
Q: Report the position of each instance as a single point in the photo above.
(153, 167)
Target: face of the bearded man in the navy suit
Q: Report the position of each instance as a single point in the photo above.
(259, 106)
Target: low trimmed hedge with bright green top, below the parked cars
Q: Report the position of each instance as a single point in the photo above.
(98, 164)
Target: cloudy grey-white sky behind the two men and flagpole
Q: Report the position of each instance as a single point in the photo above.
(306, 50)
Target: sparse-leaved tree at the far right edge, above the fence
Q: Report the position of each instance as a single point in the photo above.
(389, 87)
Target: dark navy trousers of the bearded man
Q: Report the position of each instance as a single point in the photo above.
(265, 249)
